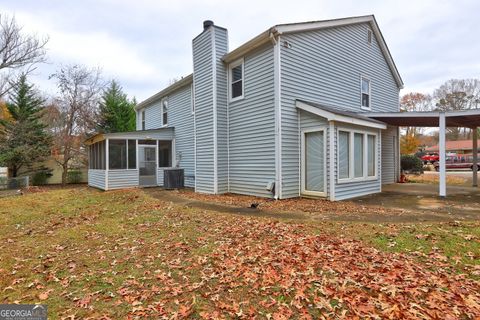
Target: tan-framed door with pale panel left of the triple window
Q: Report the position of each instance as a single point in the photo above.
(313, 163)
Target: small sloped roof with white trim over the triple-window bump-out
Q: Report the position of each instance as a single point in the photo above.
(339, 114)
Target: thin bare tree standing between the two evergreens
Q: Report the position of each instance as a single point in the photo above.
(73, 113)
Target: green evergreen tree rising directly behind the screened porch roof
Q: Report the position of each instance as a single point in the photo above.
(117, 113)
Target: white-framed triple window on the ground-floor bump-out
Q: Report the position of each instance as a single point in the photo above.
(357, 154)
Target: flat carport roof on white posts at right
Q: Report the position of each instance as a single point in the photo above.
(465, 118)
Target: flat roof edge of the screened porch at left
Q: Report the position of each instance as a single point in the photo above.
(162, 133)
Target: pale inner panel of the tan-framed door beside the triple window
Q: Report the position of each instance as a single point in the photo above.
(314, 161)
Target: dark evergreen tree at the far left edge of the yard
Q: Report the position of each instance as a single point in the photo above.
(23, 138)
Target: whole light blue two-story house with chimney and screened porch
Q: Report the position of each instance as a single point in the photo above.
(280, 116)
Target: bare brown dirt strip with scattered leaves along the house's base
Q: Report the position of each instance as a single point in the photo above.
(384, 207)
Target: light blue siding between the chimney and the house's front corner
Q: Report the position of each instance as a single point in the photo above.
(252, 128)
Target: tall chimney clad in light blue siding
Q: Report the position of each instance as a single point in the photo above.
(210, 87)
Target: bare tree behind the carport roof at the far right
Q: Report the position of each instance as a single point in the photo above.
(458, 94)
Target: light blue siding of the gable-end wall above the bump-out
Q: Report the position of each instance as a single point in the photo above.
(325, 66)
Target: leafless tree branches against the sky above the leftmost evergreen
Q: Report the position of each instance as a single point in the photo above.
(18, 51)
